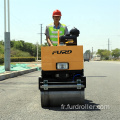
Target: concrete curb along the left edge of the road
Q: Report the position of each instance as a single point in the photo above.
(16, 73)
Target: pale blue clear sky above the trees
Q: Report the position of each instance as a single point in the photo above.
(97, 20)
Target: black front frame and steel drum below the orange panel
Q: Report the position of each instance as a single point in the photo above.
(58, 91)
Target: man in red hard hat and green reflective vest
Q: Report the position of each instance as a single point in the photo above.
(51, 31)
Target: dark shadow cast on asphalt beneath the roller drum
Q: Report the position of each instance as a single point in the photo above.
(88, 106)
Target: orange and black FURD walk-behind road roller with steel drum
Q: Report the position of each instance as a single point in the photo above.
(62, 79)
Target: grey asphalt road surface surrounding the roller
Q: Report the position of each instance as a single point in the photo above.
(20, 97)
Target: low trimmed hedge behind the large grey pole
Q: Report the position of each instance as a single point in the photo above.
(19, 59)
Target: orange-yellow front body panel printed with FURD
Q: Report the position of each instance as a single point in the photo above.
(70, 54)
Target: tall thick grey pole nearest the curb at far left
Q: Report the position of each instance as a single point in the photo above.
(7, 38)
